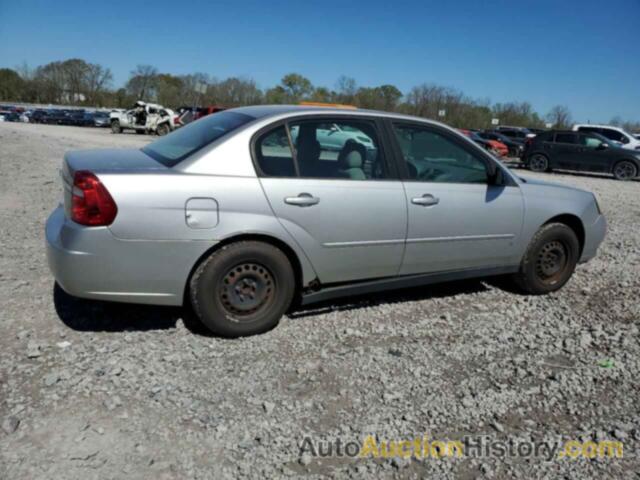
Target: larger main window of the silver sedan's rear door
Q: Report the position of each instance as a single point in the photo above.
(341, 148)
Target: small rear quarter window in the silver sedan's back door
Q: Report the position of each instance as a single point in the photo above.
(273, 154)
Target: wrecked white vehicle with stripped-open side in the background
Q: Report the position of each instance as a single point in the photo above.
(144, 118)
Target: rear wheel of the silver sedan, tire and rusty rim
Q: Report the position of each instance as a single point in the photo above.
(242, 289)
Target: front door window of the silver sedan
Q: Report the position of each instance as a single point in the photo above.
(433, 157)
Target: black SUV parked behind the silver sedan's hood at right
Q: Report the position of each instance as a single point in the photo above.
(582, 151)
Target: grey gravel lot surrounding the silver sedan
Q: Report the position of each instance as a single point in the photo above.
(95, 390)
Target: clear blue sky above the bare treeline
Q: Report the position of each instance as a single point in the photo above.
(581, 53)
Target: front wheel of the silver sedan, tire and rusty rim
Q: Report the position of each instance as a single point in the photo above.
(549, 261)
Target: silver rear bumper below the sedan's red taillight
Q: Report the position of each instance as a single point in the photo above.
(93, 263)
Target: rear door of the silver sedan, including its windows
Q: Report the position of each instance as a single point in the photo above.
(345, 206)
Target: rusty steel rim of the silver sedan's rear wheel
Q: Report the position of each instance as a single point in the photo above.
(246, 289)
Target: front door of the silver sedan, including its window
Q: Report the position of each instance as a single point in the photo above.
(458, 220)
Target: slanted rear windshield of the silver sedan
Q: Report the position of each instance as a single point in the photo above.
(175, 147)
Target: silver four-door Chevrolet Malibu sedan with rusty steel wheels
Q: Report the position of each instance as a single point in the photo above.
(235, 216)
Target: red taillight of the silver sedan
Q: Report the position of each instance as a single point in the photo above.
(91, 202)
